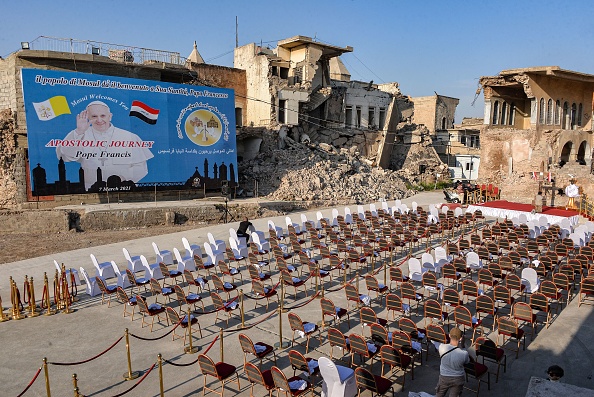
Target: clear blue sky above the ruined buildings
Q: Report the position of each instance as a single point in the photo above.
(426, 46)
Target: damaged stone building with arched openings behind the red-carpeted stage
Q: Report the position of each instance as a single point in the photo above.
(537, 119)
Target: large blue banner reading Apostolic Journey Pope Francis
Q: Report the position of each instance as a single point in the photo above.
(96, 133)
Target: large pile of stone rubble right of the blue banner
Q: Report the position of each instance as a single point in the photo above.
(312, 172)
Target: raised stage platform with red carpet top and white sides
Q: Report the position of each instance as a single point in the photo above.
(508, 209)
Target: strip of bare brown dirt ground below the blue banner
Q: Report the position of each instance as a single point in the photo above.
(31, 245)
